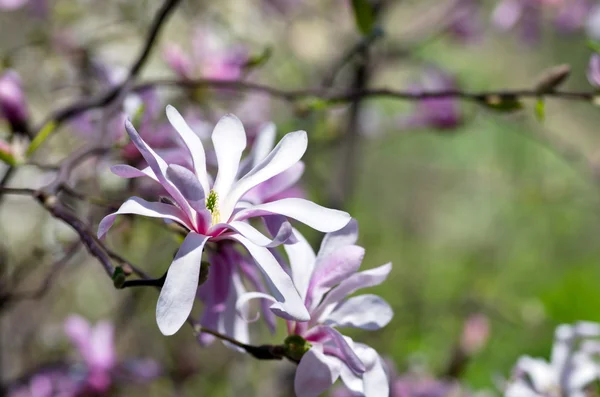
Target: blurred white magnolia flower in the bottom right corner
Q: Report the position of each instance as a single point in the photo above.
(568, 373)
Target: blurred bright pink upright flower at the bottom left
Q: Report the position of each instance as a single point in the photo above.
(96, 346)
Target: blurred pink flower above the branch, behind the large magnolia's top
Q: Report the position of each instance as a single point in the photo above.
(210, 58)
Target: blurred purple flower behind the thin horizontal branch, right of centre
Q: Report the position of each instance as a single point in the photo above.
(439, 113)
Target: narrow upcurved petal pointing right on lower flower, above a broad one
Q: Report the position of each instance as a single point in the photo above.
(367, 278)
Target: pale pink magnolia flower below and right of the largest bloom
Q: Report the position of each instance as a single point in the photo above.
(324, 281)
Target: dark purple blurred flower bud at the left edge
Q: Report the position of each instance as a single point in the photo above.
(13, 105)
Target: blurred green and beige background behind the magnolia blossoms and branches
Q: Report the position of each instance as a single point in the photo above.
(497, 215)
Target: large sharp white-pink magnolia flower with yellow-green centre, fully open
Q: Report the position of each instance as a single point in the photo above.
(212, 211)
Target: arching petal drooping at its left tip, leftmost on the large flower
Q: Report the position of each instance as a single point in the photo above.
(139, 206)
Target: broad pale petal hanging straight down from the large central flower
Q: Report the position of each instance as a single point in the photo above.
(177, 295)
